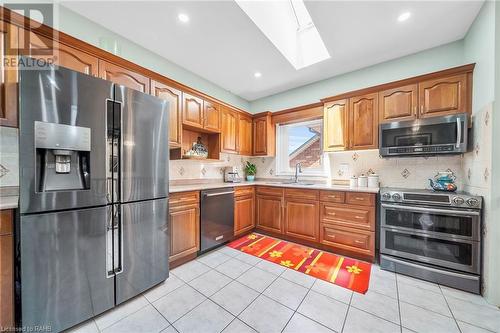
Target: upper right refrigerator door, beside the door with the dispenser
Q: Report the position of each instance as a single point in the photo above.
(144, 141)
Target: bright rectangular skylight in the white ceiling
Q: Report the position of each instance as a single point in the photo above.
(288, 25)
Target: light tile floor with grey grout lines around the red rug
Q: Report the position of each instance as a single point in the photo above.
(229, 291)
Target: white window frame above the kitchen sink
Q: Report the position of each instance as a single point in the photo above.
(282, 161)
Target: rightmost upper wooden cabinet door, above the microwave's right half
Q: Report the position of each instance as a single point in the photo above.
(443, 96)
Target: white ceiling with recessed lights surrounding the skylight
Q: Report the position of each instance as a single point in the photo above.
(221, 44)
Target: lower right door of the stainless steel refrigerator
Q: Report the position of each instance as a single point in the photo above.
(144, 249)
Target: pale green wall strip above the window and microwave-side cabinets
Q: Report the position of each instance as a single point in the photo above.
(441, 57)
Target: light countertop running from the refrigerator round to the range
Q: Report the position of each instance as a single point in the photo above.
(318, 186)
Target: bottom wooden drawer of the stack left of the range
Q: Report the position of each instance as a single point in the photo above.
(347, 238)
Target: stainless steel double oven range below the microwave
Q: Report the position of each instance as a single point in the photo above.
(435, 236)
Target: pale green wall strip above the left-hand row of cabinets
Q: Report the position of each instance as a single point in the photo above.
(76, 25)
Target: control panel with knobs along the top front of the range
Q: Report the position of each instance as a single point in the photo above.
(429, 197)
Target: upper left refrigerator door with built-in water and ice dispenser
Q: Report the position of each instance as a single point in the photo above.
(65, 105)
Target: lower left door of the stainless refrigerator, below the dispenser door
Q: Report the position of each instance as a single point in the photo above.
(63, 268)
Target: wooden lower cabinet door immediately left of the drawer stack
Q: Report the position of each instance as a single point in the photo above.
(302, 219)
